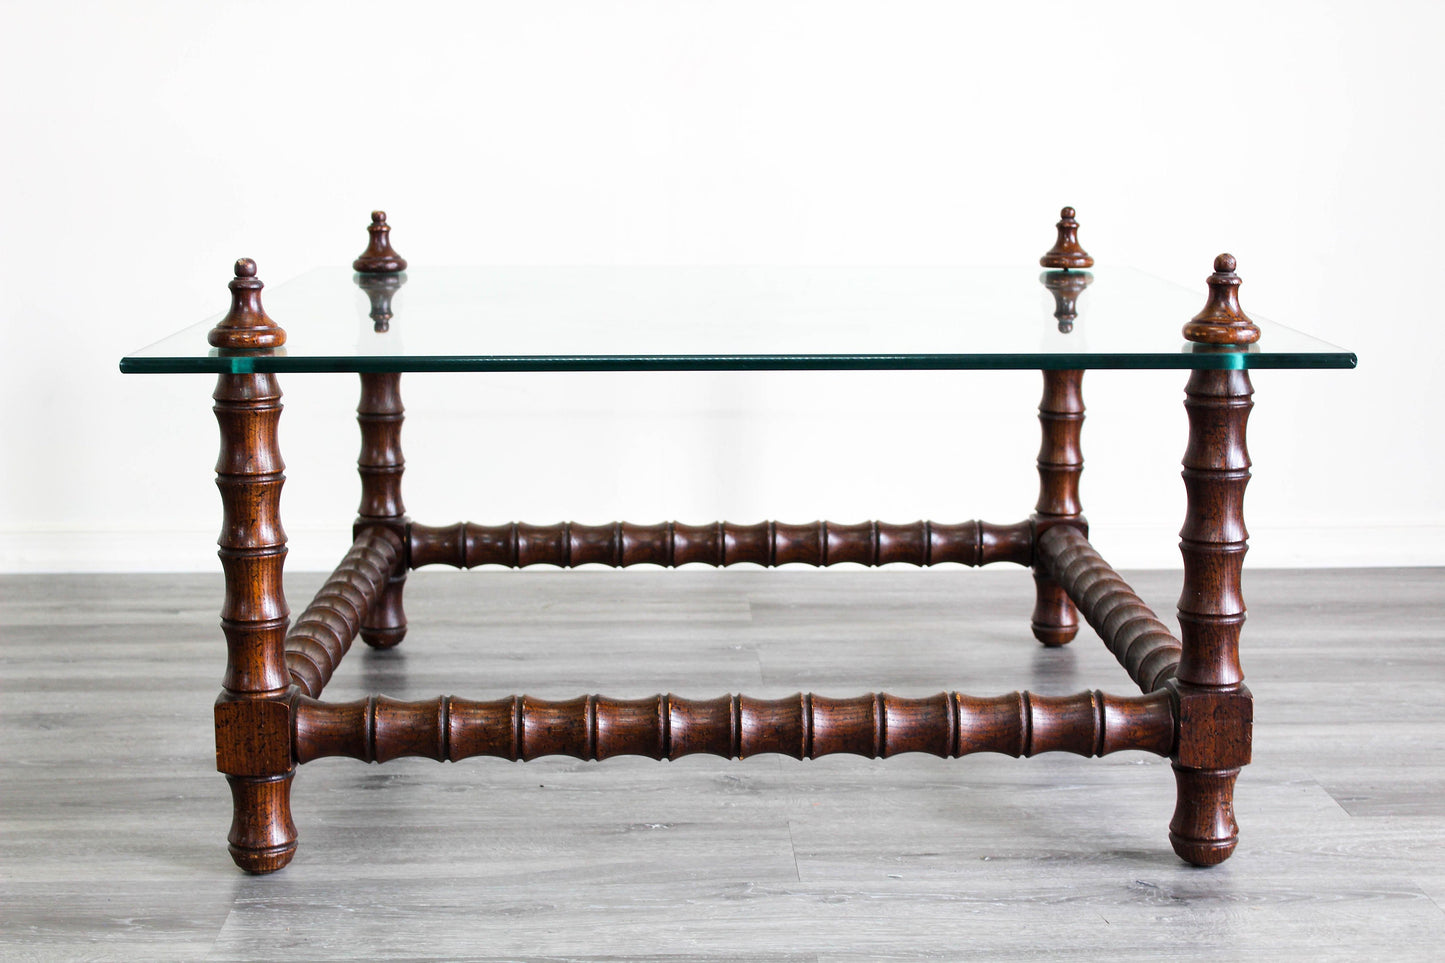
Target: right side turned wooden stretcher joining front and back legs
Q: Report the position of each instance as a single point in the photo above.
(1142, 644)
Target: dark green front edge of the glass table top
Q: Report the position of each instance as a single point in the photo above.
(1184, 359)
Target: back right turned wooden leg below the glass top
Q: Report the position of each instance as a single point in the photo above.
(1061, 462)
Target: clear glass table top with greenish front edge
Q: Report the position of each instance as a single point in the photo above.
(722, 319)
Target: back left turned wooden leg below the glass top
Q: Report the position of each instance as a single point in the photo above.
(381, 465)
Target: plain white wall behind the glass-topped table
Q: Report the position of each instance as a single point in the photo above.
(148, 145)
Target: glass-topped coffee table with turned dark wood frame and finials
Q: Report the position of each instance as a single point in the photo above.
(379, 320)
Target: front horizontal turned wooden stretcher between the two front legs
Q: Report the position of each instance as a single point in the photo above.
(803, 727)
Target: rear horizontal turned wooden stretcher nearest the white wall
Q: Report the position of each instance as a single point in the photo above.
(622, 544)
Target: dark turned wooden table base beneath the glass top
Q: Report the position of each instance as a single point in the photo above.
(269, 718)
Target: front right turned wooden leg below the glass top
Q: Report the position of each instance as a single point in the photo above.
(1213, 706)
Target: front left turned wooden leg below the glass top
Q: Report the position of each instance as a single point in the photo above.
(254, 712)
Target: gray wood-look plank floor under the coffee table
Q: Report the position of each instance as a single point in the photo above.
(113, 822)
